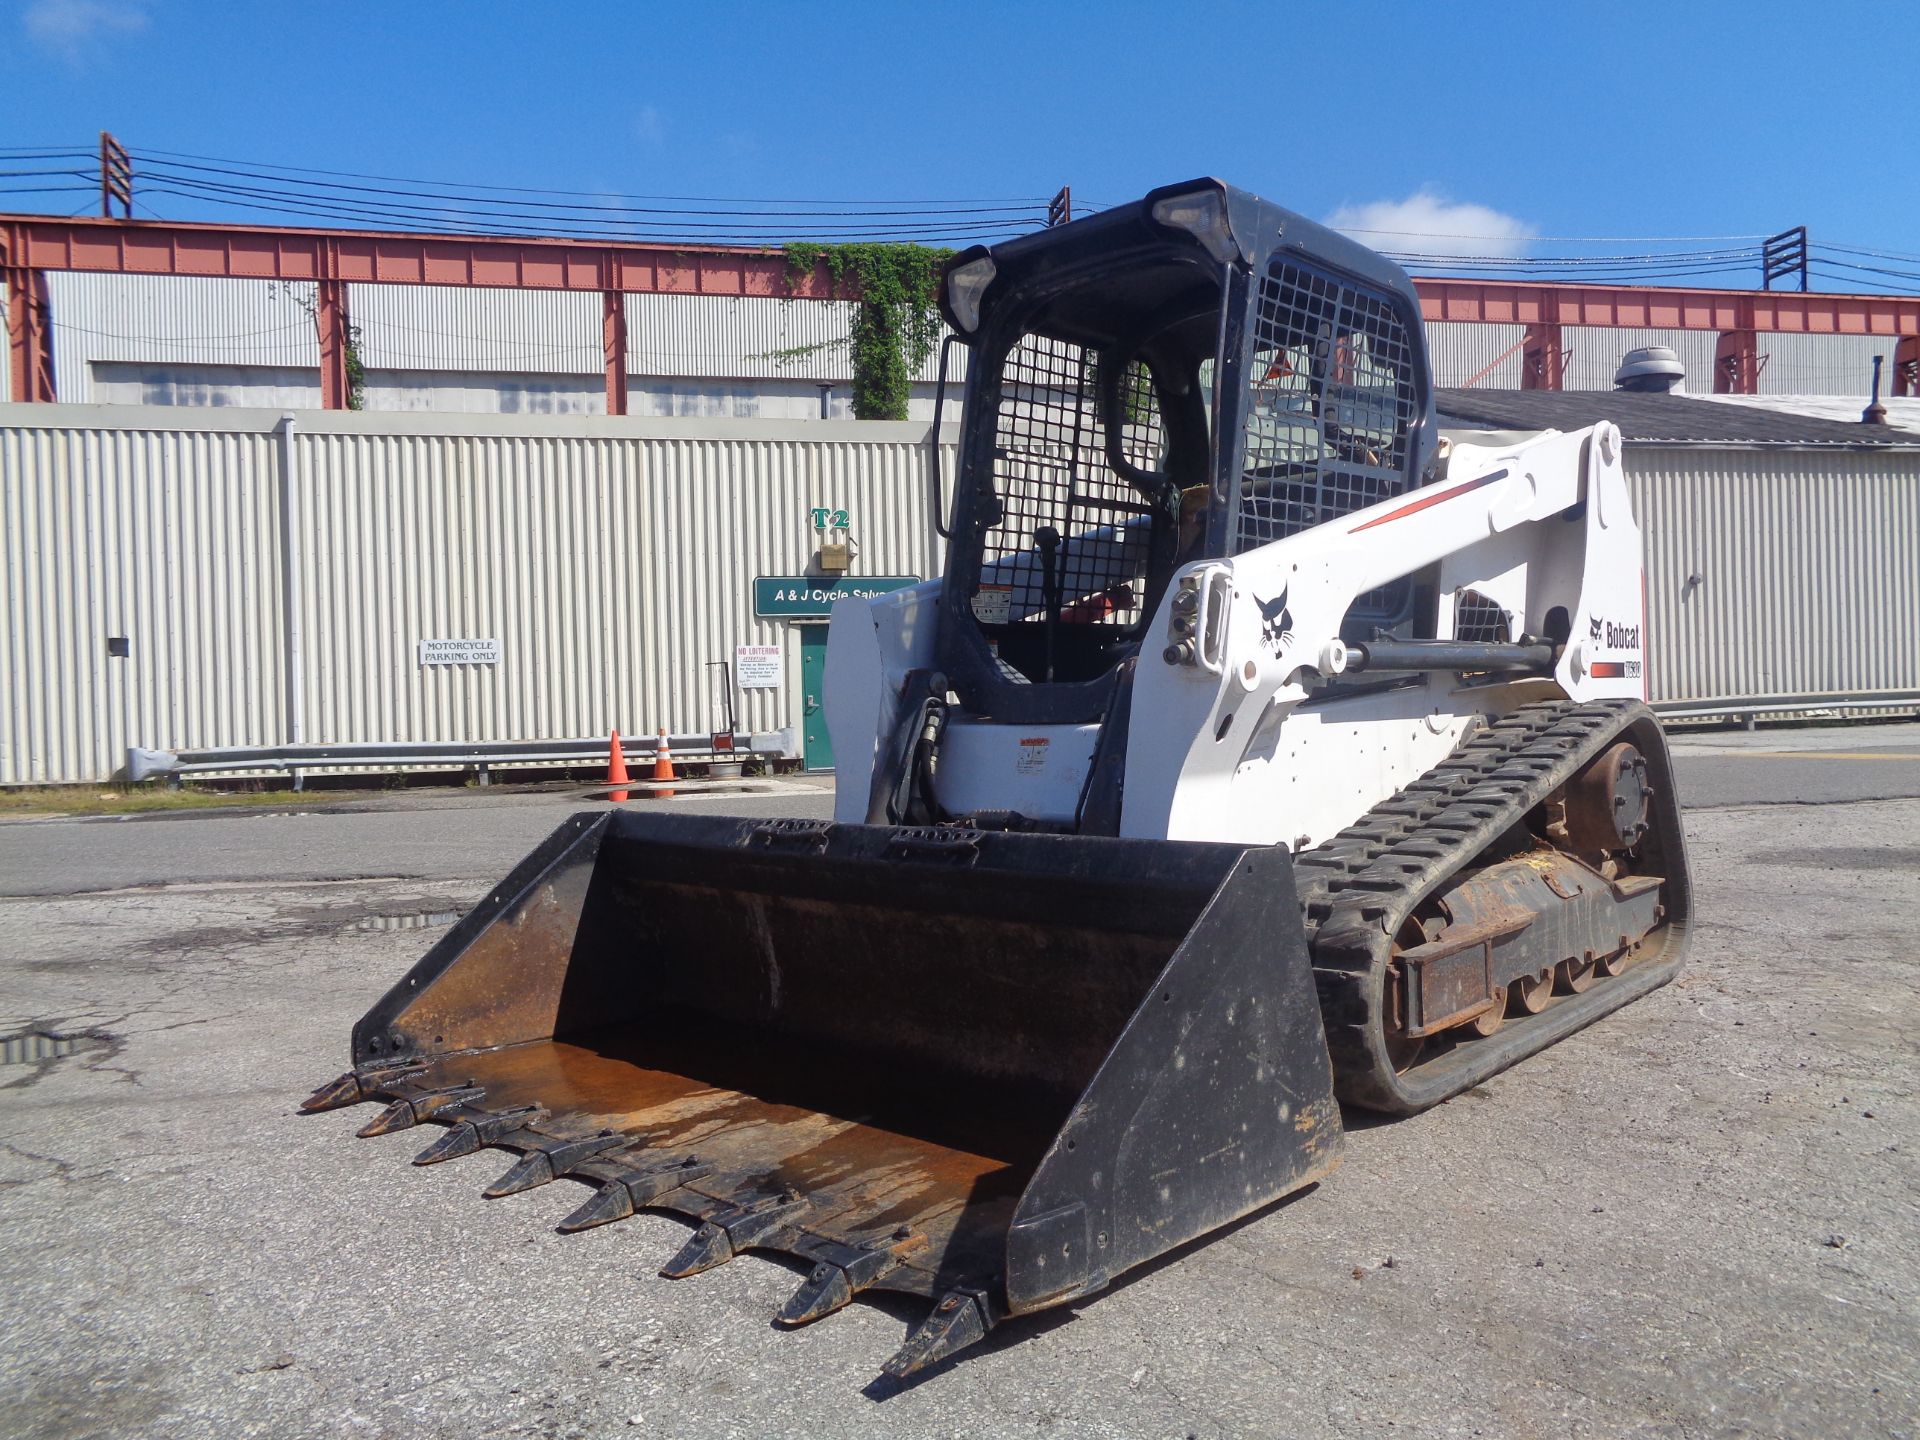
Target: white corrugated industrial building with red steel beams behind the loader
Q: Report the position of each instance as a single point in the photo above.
(587, 479)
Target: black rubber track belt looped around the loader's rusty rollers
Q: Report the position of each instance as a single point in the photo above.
(1358, 890)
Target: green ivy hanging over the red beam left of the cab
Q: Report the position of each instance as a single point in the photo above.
(896, 322)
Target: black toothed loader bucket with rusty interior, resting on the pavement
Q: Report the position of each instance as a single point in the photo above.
(994, 1070)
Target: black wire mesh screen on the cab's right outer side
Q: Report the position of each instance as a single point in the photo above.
(1330, 410)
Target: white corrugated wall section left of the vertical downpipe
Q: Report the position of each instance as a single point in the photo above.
(168, 539)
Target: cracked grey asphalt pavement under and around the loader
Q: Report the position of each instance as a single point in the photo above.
(1696, 1218)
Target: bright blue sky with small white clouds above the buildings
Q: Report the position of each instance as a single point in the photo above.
(1543, 120)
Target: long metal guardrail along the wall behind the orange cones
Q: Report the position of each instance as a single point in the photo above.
(487, 756)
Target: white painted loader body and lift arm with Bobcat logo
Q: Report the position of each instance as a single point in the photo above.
(1247, 742)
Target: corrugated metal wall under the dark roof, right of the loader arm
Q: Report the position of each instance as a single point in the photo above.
(1810, 571)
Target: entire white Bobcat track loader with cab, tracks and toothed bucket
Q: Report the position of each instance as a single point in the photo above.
(1259, 752)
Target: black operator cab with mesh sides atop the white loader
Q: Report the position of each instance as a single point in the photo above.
(1188, 377)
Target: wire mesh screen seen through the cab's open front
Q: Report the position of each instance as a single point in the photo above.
(1072, 535)
